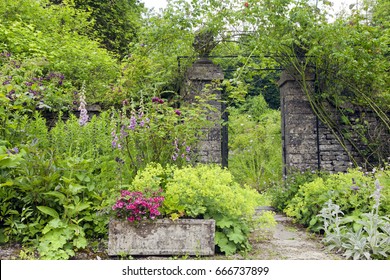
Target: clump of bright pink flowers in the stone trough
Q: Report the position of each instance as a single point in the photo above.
(138, 206)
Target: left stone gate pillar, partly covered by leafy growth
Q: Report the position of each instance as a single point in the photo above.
(200, 77)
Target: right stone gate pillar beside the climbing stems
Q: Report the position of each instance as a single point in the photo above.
(299, 126)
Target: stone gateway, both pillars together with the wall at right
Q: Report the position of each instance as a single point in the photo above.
(308, 144)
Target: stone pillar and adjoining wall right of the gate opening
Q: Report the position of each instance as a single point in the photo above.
(308, 144)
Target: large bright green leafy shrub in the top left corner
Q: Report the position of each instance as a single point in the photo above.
(43, 39)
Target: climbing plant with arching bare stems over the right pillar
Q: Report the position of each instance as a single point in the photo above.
(347, 56)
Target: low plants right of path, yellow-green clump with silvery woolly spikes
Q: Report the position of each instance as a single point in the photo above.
(351, 209)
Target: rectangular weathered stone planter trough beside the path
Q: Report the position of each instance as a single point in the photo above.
(162, 237)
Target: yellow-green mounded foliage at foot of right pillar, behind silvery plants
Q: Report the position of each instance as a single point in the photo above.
(351, 191)
